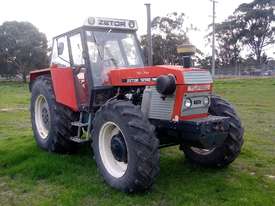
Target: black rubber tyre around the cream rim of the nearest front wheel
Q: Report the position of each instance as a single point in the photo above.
(132, 180)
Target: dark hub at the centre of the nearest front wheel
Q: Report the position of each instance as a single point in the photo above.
(118, 148)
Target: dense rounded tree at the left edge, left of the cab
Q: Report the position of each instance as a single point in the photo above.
(23, 47)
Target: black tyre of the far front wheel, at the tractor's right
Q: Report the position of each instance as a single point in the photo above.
(226, 153)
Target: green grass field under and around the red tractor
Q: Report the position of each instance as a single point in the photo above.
(30, 176)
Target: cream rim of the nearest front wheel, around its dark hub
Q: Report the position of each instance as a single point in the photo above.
(116, 168)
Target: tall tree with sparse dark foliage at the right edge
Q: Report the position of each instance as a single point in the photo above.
(255, 21)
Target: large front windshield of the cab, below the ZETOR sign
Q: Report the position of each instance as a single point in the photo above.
(110, 50)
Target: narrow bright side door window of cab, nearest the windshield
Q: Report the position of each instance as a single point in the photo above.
(77, 50)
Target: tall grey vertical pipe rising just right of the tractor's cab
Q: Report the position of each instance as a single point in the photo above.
(149, 35)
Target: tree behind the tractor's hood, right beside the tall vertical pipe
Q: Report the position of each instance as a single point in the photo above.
(168, 33)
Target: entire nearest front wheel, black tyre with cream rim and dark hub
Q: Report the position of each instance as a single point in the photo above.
(125, 147)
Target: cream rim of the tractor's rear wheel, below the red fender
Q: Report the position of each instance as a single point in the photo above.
(42, 116)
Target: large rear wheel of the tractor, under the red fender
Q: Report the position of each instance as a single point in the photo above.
(51, 121)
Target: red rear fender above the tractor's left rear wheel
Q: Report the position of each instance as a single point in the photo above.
(63, 85)
